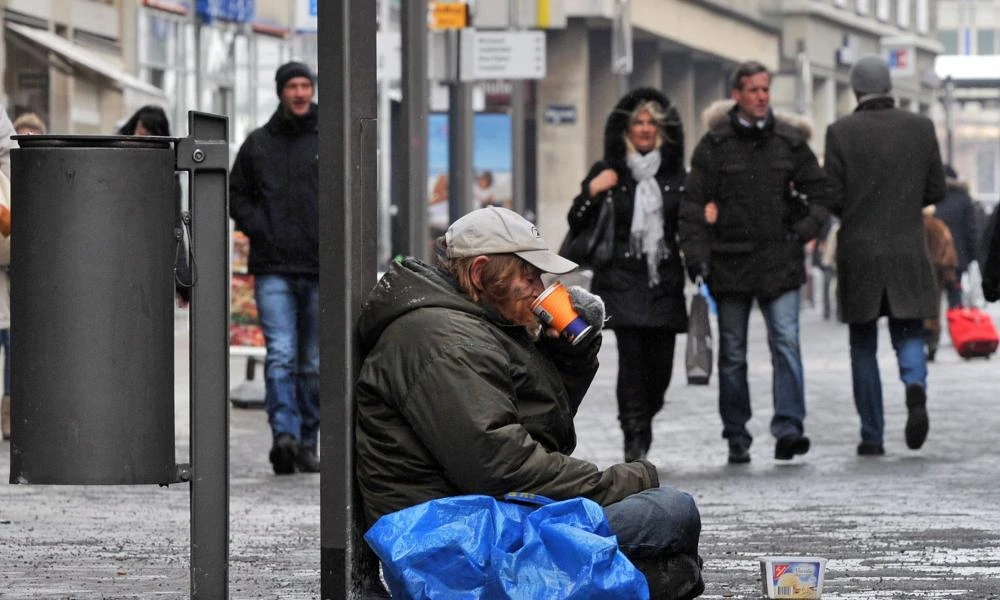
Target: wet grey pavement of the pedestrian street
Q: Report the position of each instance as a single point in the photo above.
(911, 524)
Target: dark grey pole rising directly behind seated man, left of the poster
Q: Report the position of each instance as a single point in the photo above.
(412, 202)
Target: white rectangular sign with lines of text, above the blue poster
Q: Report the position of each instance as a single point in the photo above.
(502, 55)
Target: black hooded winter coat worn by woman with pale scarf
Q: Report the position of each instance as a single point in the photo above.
(624, 284)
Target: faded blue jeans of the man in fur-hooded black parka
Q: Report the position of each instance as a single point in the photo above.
(781, 315)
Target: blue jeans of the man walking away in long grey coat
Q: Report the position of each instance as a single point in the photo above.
(907, 337)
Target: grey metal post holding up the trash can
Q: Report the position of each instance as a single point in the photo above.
(205, 153)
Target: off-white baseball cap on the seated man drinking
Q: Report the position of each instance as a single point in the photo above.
(496, 230)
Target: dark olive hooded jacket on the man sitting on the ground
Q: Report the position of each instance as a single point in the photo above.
(452, 399)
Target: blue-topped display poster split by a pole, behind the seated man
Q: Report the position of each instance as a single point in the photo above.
(491, 161)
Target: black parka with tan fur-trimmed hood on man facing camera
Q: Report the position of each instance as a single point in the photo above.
(756, 245)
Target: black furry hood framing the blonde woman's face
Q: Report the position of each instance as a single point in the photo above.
(617, 125)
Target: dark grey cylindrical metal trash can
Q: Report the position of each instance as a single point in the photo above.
(92, 296)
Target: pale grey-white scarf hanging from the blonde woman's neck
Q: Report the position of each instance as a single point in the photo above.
(647, 212)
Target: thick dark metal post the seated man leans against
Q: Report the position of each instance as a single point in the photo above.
(347, 203)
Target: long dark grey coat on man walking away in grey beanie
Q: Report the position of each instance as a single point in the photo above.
(884, 167)
